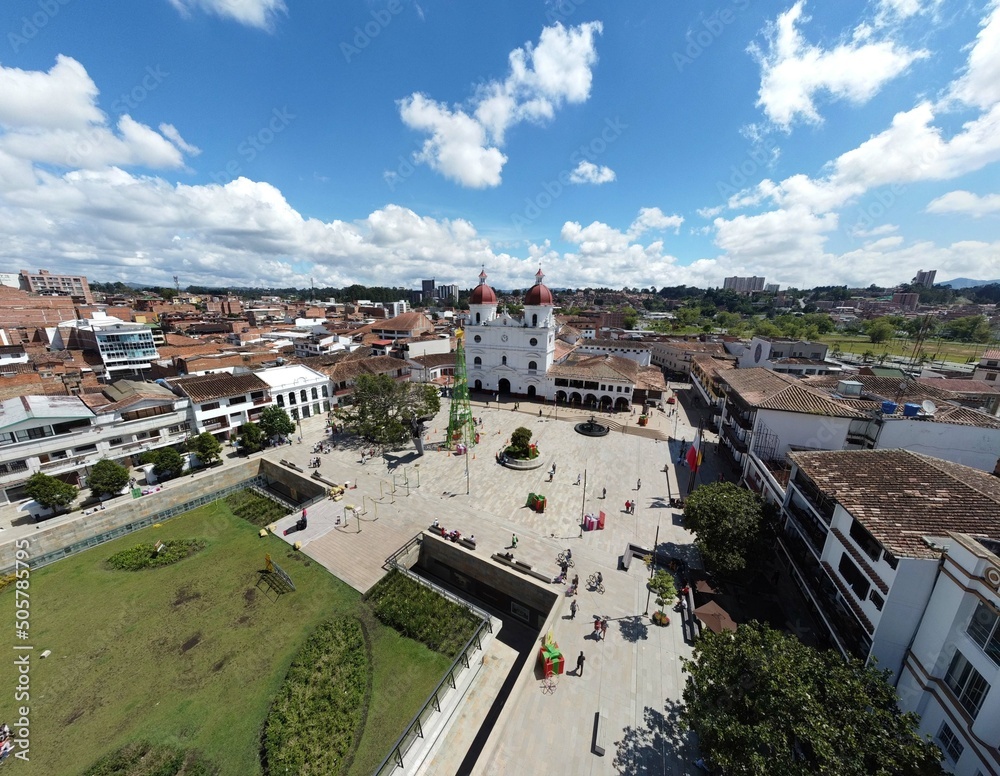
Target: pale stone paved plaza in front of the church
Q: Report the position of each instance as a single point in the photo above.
(634, 676)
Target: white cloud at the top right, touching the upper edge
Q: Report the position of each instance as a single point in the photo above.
(794, 72)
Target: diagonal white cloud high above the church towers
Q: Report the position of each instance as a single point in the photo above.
(465, 143)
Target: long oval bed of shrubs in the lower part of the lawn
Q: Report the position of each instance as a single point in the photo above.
(318, 713)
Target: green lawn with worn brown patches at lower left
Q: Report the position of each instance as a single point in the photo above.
(189, 654)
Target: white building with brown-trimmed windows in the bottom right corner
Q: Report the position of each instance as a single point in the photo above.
(954, 662)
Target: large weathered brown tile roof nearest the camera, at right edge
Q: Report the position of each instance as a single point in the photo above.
(901, 496)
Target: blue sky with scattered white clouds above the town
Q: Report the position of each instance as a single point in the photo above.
(275, 143)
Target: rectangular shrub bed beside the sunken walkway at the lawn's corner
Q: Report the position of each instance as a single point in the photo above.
(420, 613)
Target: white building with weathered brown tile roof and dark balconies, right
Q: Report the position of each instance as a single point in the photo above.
(855, 538)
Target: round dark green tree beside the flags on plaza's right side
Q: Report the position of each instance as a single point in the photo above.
(730, 523)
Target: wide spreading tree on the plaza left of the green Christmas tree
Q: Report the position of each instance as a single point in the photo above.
(388, 412)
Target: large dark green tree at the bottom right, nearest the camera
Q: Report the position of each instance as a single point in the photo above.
(762, 703)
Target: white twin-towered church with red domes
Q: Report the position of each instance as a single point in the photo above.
(507, 354)
